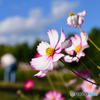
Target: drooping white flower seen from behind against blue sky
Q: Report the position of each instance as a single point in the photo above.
(76, 19)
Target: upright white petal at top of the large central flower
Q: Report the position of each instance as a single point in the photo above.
(53, 36)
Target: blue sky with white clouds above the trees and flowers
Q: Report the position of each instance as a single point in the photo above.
(26, 20)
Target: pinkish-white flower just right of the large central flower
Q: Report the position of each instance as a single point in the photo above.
(76, 50)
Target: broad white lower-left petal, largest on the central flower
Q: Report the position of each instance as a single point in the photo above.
(42, 63)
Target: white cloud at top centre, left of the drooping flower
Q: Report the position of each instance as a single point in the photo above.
(61, 8)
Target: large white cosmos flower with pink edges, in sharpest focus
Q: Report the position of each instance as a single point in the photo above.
(50, 53)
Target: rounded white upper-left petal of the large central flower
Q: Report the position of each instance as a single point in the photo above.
(42, 47)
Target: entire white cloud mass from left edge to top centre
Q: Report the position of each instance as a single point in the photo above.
(22, 29)
